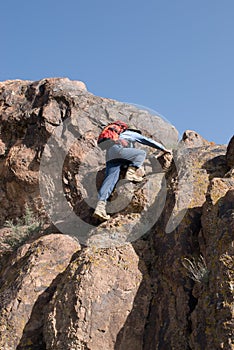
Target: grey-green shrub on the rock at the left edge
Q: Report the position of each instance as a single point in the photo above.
(22, 229)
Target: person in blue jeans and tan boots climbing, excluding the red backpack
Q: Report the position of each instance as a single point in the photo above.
(122, 152)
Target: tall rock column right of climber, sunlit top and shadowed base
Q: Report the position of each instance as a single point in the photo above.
(173, 303)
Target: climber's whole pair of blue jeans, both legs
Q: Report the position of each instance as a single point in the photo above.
(116, 157)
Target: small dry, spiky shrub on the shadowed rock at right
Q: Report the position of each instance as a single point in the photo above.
(197, 269)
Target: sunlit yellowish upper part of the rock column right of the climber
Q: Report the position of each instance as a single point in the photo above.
(194, 167)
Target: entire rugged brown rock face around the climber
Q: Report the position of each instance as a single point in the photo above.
(157, 275)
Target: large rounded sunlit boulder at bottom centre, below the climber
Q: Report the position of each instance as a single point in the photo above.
(91, 307)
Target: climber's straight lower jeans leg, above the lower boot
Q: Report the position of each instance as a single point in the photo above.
(111, 178)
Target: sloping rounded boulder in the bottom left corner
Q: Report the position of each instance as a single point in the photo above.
(27, 286)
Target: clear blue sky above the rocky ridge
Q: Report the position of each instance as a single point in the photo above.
(173, 56)
